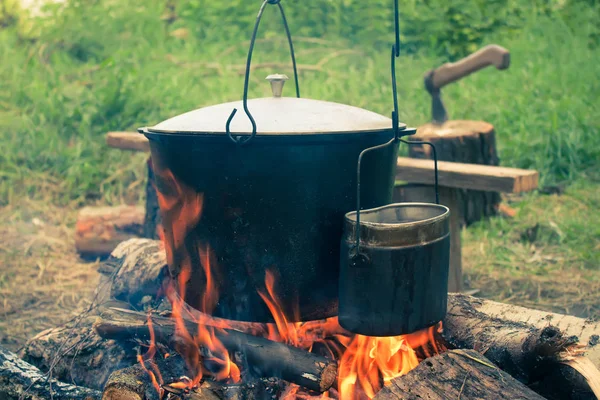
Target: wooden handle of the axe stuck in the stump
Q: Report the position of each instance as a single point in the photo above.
(489, 55)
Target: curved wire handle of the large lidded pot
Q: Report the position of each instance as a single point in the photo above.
(241, 140)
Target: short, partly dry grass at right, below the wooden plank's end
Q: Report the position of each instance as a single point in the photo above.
(547, 256)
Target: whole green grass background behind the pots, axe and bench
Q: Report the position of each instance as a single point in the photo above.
(83, 68)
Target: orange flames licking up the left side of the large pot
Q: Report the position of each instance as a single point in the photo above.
(181, 208)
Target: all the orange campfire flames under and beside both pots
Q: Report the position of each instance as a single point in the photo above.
(365, 364)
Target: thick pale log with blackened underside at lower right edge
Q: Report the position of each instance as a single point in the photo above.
(555, 354)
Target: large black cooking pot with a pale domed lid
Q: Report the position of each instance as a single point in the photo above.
(275, 203)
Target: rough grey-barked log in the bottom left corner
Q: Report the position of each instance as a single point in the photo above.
(23, 381)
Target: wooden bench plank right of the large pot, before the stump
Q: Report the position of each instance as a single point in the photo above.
(468, 176)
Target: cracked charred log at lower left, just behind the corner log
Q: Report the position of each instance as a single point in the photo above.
(78, 354)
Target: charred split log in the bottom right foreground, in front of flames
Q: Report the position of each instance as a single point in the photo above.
(456, 374)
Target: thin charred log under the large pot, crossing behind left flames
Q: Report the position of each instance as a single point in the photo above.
(268, 358)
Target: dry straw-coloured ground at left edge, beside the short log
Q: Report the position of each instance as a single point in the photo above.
(43, 282)
